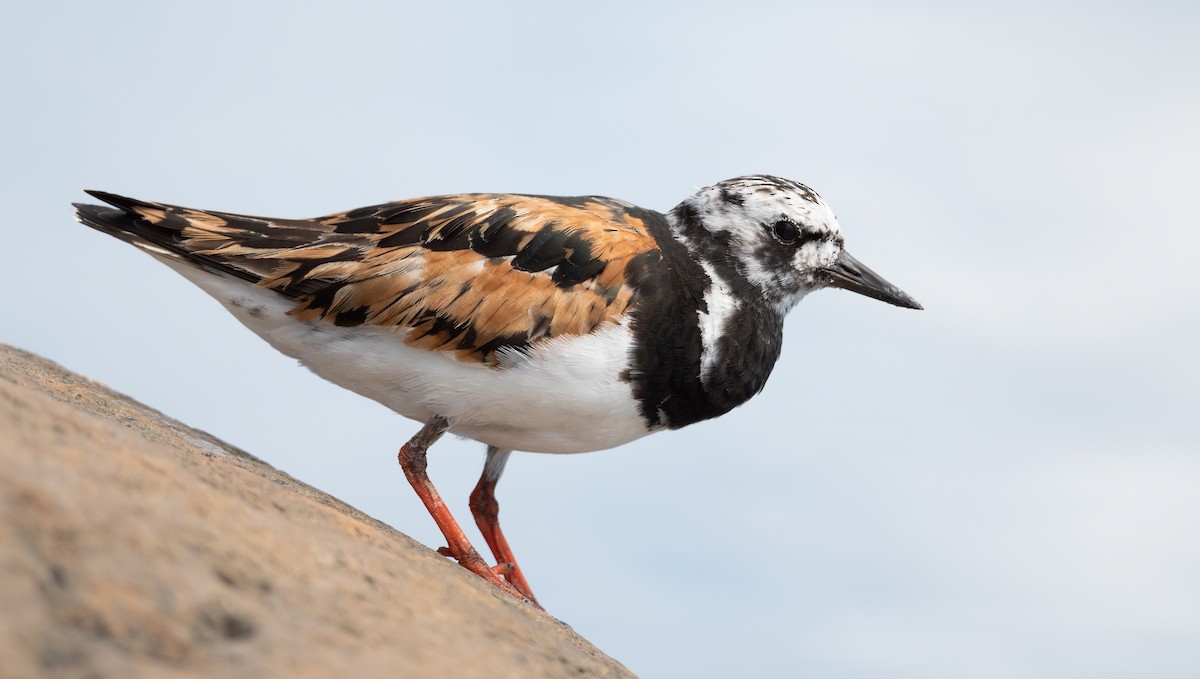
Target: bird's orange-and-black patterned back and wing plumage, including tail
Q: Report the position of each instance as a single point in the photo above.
(471, 274)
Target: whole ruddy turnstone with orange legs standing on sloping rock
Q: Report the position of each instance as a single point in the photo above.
(531, 323)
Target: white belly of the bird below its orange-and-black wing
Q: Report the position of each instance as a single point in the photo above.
(565, 396)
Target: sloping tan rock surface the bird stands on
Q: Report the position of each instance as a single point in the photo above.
(135, 546)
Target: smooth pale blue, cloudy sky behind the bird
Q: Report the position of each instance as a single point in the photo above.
(1004, 485)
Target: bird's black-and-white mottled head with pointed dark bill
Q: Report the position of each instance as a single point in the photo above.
(778, 236)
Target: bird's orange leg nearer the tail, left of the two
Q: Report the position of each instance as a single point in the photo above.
(413, 462)
